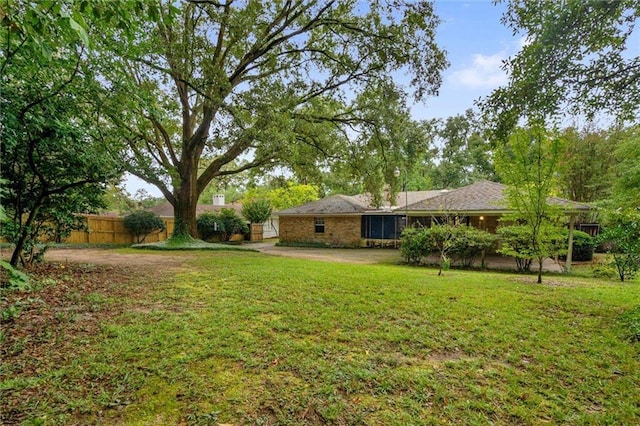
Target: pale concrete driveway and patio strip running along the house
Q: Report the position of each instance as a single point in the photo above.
(378, 255)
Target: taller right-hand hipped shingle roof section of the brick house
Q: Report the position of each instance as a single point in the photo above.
(481, 196)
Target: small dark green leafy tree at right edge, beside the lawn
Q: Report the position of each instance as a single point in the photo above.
(621, 238)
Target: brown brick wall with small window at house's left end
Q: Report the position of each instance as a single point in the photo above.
(342, 231)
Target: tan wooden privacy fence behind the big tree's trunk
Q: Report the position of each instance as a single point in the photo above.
(111, 230)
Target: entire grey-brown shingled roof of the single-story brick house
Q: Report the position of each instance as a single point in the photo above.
(480, 197)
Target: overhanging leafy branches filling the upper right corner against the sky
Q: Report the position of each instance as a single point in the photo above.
(578, 54)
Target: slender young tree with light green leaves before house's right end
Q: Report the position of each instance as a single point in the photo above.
(527, 164)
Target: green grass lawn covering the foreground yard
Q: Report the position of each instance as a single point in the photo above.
(245, 338)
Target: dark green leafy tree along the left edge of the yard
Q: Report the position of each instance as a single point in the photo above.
(54, 153)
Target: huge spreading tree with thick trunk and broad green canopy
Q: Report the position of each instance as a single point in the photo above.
(256, 80)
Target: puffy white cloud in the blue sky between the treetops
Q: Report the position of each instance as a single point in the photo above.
(483, 73)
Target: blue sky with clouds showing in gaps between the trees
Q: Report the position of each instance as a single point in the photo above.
(476, 43)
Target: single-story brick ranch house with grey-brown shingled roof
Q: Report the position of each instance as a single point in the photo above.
(352, 221)
